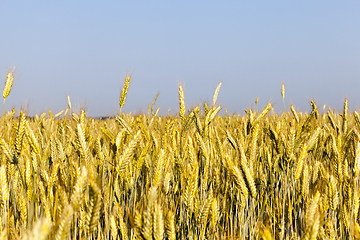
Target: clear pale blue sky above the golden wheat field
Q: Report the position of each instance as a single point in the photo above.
(85, 48)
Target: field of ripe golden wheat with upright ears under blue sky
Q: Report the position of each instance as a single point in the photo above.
(194, 175)
